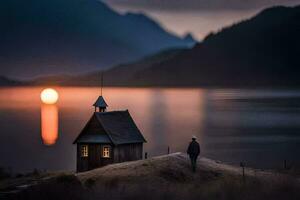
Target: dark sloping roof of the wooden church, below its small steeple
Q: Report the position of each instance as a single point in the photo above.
(118, 126)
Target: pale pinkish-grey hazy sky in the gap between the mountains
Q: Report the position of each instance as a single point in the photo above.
(196, 16)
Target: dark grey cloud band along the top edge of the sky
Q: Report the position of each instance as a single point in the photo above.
(200, 4)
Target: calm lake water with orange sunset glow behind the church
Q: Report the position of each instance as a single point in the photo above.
(259, 127)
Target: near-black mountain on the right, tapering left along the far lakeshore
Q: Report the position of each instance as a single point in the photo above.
(261, 51)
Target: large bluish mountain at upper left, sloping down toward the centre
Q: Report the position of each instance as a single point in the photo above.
(72, 36)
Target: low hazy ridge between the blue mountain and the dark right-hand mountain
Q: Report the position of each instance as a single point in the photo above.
(120, 75)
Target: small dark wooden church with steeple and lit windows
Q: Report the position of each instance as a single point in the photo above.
(108, 137)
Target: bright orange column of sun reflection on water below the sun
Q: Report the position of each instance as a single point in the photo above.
(49, 124)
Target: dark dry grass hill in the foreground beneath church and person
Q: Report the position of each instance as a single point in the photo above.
(166, 177)
